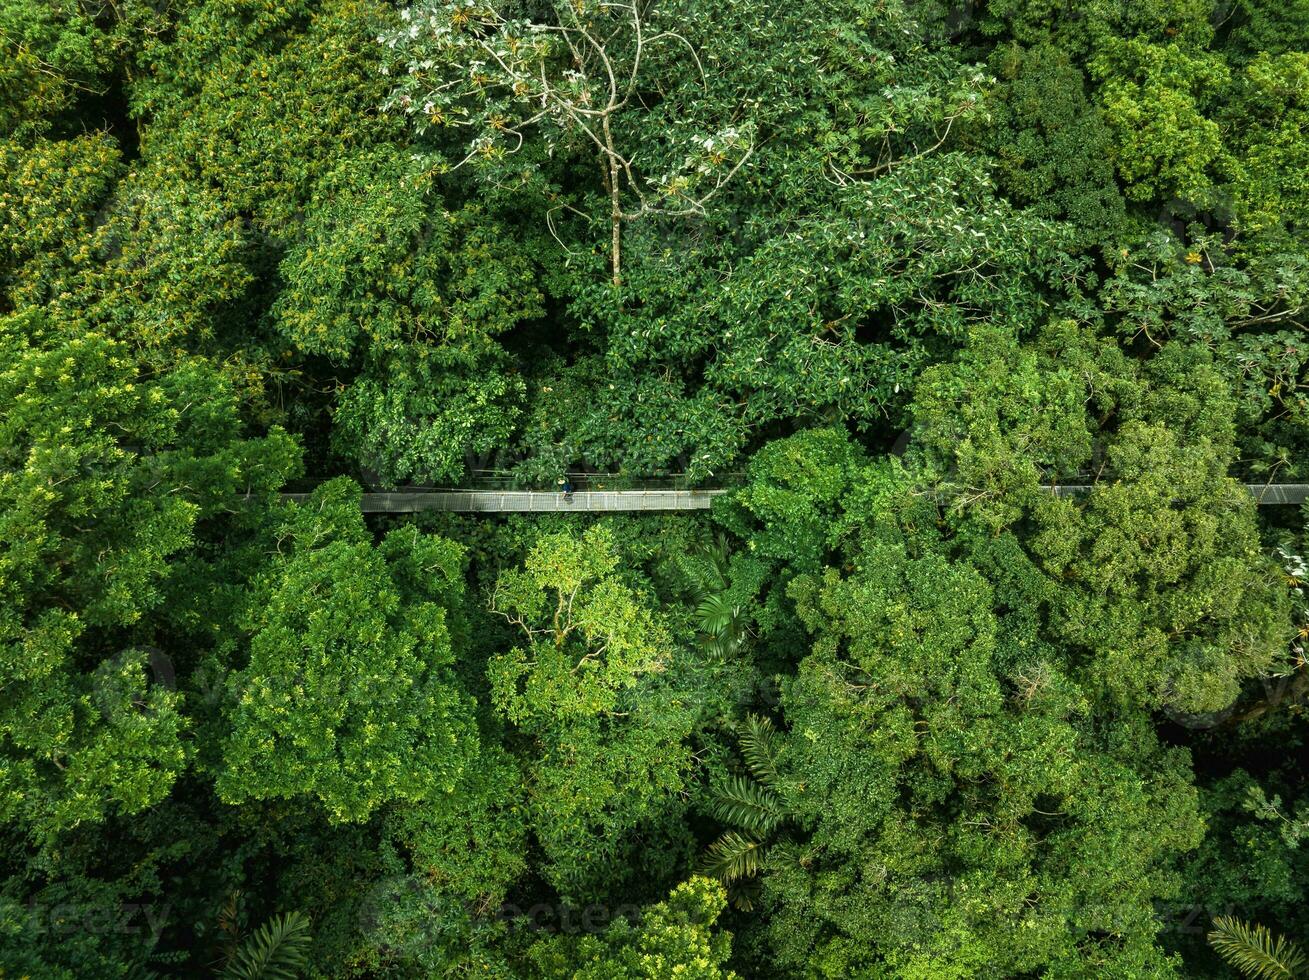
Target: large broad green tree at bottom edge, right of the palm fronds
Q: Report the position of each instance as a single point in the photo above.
(959, 809)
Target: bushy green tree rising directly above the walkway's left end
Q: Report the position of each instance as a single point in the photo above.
(420, 296)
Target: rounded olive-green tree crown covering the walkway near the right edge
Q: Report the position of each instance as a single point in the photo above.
(1171, 595)
